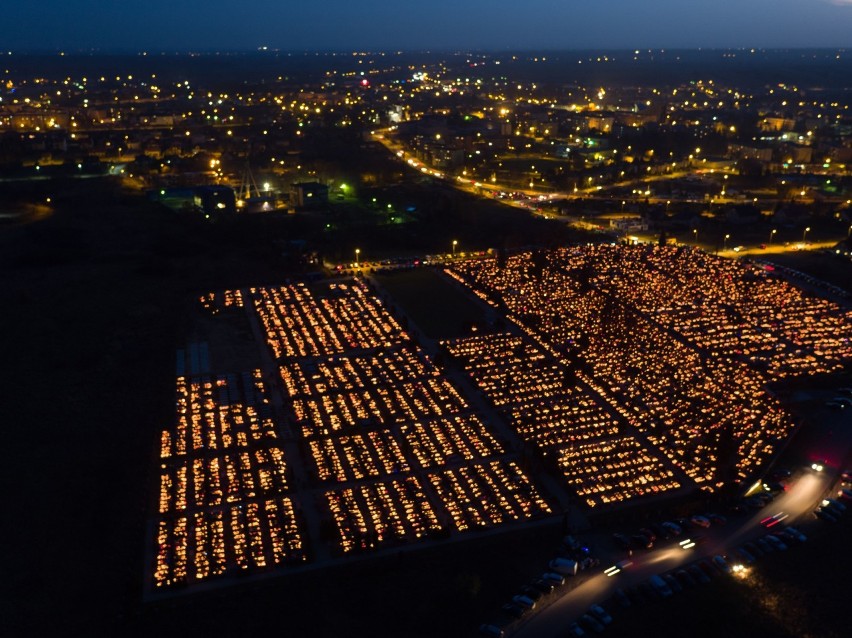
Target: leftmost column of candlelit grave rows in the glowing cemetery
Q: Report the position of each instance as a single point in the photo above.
(224, 504)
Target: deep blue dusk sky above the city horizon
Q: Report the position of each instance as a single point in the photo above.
(209, 25)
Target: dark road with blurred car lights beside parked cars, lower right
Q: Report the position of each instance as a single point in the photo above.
(804, 492)
